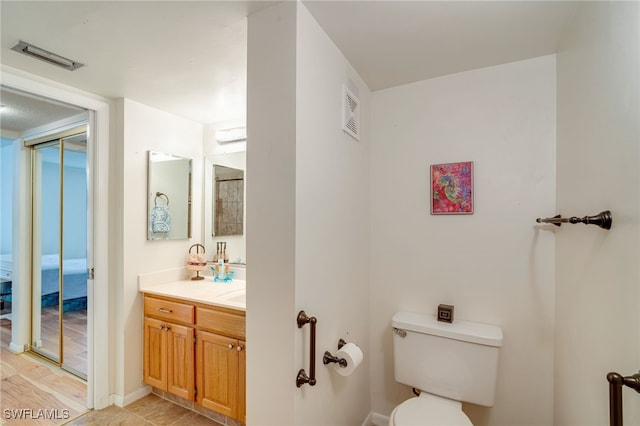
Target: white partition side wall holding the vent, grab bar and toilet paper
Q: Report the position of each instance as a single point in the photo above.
(332, 227)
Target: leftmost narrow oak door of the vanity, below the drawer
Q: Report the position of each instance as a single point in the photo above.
(155, 356)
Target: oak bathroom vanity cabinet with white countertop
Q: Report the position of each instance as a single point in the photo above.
(194, 343)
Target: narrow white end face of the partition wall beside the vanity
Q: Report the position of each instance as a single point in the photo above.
(271, 156)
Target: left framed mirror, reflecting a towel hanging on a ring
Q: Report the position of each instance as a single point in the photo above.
(168, 197)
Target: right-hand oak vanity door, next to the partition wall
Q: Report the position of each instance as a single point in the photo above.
(217, 373)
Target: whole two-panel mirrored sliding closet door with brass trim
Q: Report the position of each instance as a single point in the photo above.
(59, 244)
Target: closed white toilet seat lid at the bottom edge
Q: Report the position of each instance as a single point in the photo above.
(426, 412)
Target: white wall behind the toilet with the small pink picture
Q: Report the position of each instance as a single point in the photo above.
(495, 266)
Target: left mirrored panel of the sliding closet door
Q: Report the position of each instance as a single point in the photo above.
(46, 251)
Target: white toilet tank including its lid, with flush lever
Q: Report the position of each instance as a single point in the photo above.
(456, 360)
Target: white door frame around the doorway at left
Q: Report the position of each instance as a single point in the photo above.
(99, 360)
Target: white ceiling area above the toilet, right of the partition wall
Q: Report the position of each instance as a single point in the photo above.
(397, 42)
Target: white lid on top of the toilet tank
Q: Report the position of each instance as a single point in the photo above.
(467, 331)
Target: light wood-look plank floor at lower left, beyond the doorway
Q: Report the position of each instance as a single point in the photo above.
(32, 392)
